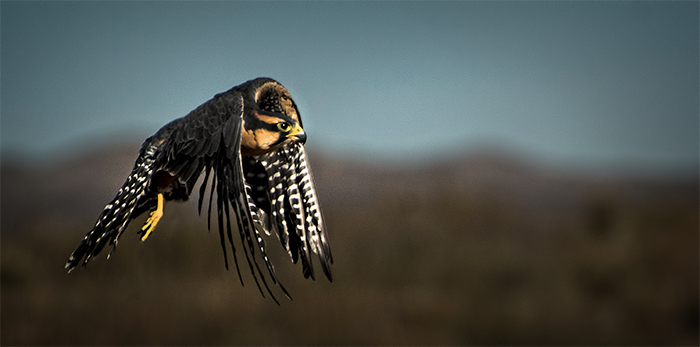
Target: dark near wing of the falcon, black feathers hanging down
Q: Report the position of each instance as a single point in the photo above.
(208, 140)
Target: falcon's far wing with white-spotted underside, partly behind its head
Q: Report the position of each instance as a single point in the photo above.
(281, 187)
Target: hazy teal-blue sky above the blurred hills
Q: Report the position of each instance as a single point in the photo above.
(594, 83)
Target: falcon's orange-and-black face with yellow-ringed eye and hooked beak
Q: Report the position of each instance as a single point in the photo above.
(264, 132)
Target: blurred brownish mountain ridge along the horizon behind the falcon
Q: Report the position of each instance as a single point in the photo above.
(77, 188)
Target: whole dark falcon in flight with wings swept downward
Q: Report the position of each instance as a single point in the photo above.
(249, 142)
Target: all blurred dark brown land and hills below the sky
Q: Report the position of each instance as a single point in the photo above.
(476, 249)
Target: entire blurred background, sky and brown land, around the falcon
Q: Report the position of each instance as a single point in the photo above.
(490, 172)
